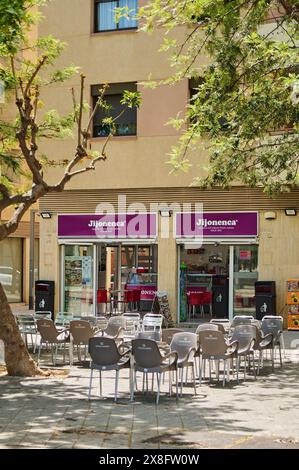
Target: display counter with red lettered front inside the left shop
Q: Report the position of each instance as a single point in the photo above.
(147, 284)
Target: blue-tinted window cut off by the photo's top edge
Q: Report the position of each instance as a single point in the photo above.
(105, 15)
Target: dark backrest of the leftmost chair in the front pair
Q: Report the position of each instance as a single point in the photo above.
(103, 351)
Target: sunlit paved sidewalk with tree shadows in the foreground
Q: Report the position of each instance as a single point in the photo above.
(55, 413)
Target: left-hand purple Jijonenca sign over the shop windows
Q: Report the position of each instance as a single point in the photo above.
(107, 226)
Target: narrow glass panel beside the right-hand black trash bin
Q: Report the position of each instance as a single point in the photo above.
(245, 274)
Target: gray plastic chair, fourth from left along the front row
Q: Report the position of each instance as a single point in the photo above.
(214, 347)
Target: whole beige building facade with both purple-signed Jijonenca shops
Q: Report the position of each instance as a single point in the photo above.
(242, 235)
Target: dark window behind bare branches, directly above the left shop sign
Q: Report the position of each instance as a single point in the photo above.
(126, 124)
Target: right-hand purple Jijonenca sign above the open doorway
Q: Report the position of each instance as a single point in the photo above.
(217, 224)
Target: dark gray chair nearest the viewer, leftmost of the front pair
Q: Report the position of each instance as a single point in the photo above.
(105, 355)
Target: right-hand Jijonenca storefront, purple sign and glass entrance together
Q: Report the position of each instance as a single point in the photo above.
(217, 253)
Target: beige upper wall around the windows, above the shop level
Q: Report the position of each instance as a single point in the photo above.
(113, 57)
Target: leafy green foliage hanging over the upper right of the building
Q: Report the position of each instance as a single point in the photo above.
(246, 100)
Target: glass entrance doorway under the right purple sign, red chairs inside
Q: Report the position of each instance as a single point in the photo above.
(225, 273)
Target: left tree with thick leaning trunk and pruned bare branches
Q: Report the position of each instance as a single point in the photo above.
(22, 180)
